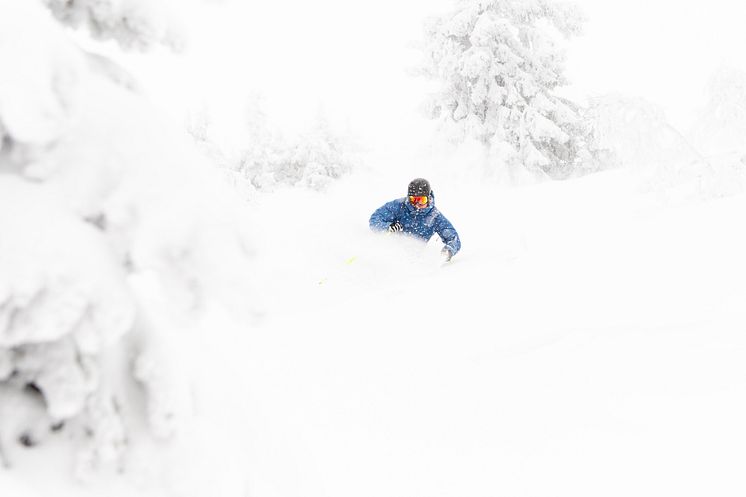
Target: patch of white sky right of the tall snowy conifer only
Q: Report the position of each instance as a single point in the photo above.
(662, 50)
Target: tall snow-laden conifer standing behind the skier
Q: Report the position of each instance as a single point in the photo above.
(499, 63)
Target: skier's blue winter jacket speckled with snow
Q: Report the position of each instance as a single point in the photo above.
(421, 223)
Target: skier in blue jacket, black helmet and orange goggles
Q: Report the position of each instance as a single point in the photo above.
(416, 215)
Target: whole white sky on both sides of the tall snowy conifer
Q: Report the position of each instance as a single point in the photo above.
(350, 59)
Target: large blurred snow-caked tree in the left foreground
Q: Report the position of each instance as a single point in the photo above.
(115, 240)
